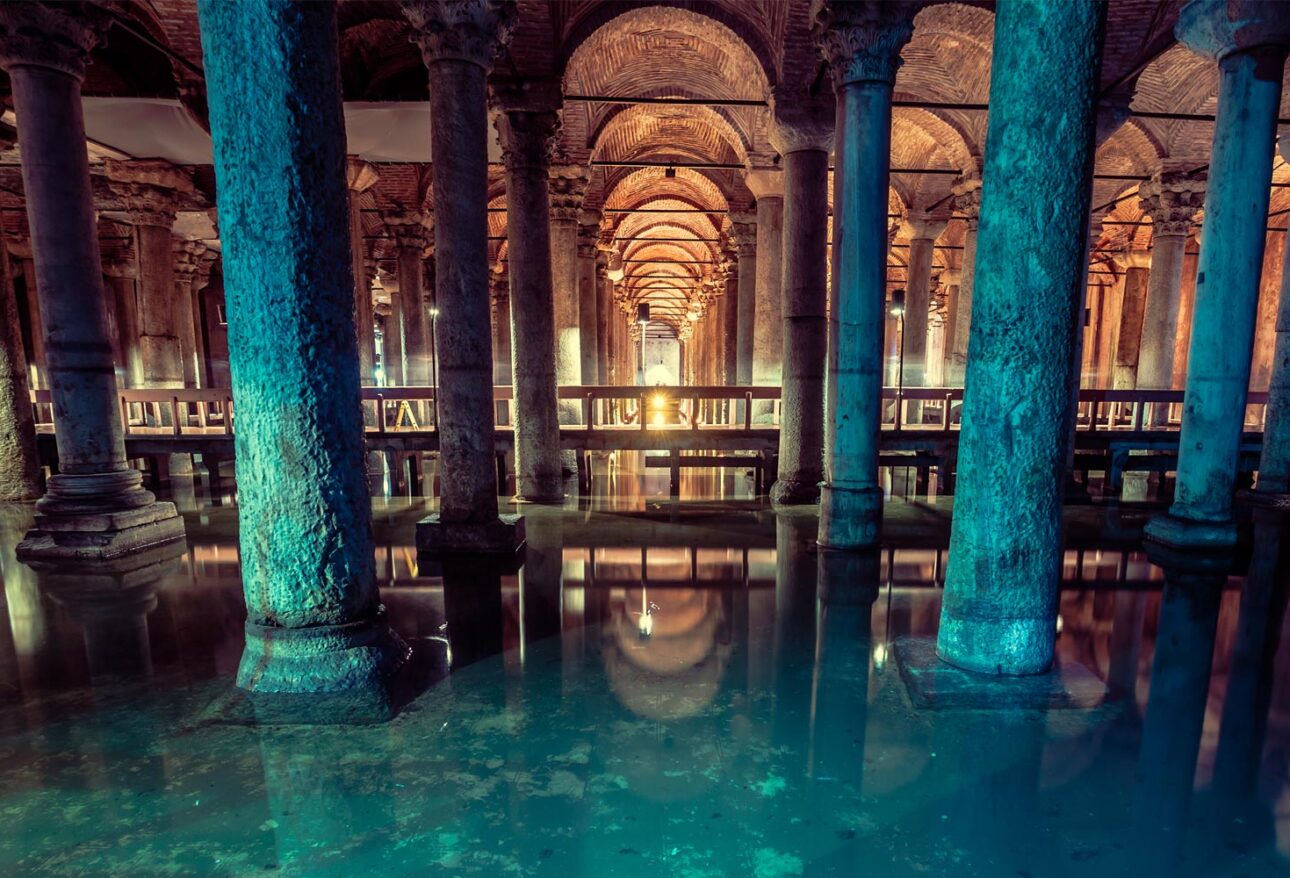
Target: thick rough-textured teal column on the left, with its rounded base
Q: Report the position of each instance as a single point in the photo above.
(315, 623)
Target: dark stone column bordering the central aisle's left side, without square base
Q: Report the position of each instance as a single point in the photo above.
(527, 127)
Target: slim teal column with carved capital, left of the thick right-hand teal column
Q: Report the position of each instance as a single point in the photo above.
(862, 44)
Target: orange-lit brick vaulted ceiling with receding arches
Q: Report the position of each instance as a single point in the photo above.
(717, 50)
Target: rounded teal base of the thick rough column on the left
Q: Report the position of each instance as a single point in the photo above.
(324, 674)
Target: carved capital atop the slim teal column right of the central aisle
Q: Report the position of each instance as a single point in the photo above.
(862, 42)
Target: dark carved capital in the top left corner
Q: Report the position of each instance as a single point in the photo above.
(55, 35)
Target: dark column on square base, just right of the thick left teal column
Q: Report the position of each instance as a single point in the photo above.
(459, 43)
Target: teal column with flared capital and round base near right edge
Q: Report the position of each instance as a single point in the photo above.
(1249, 41)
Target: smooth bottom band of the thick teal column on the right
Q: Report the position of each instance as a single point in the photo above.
(1002, 648)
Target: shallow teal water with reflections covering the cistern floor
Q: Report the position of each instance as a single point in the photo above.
(659, 692)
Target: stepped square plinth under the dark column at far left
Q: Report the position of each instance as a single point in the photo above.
(100, 536)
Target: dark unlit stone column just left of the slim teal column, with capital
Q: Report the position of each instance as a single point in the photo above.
(803, 133)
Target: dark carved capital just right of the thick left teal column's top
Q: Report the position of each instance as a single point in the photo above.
(474, 32)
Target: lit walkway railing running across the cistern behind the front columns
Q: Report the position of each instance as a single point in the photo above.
(194, 413)
